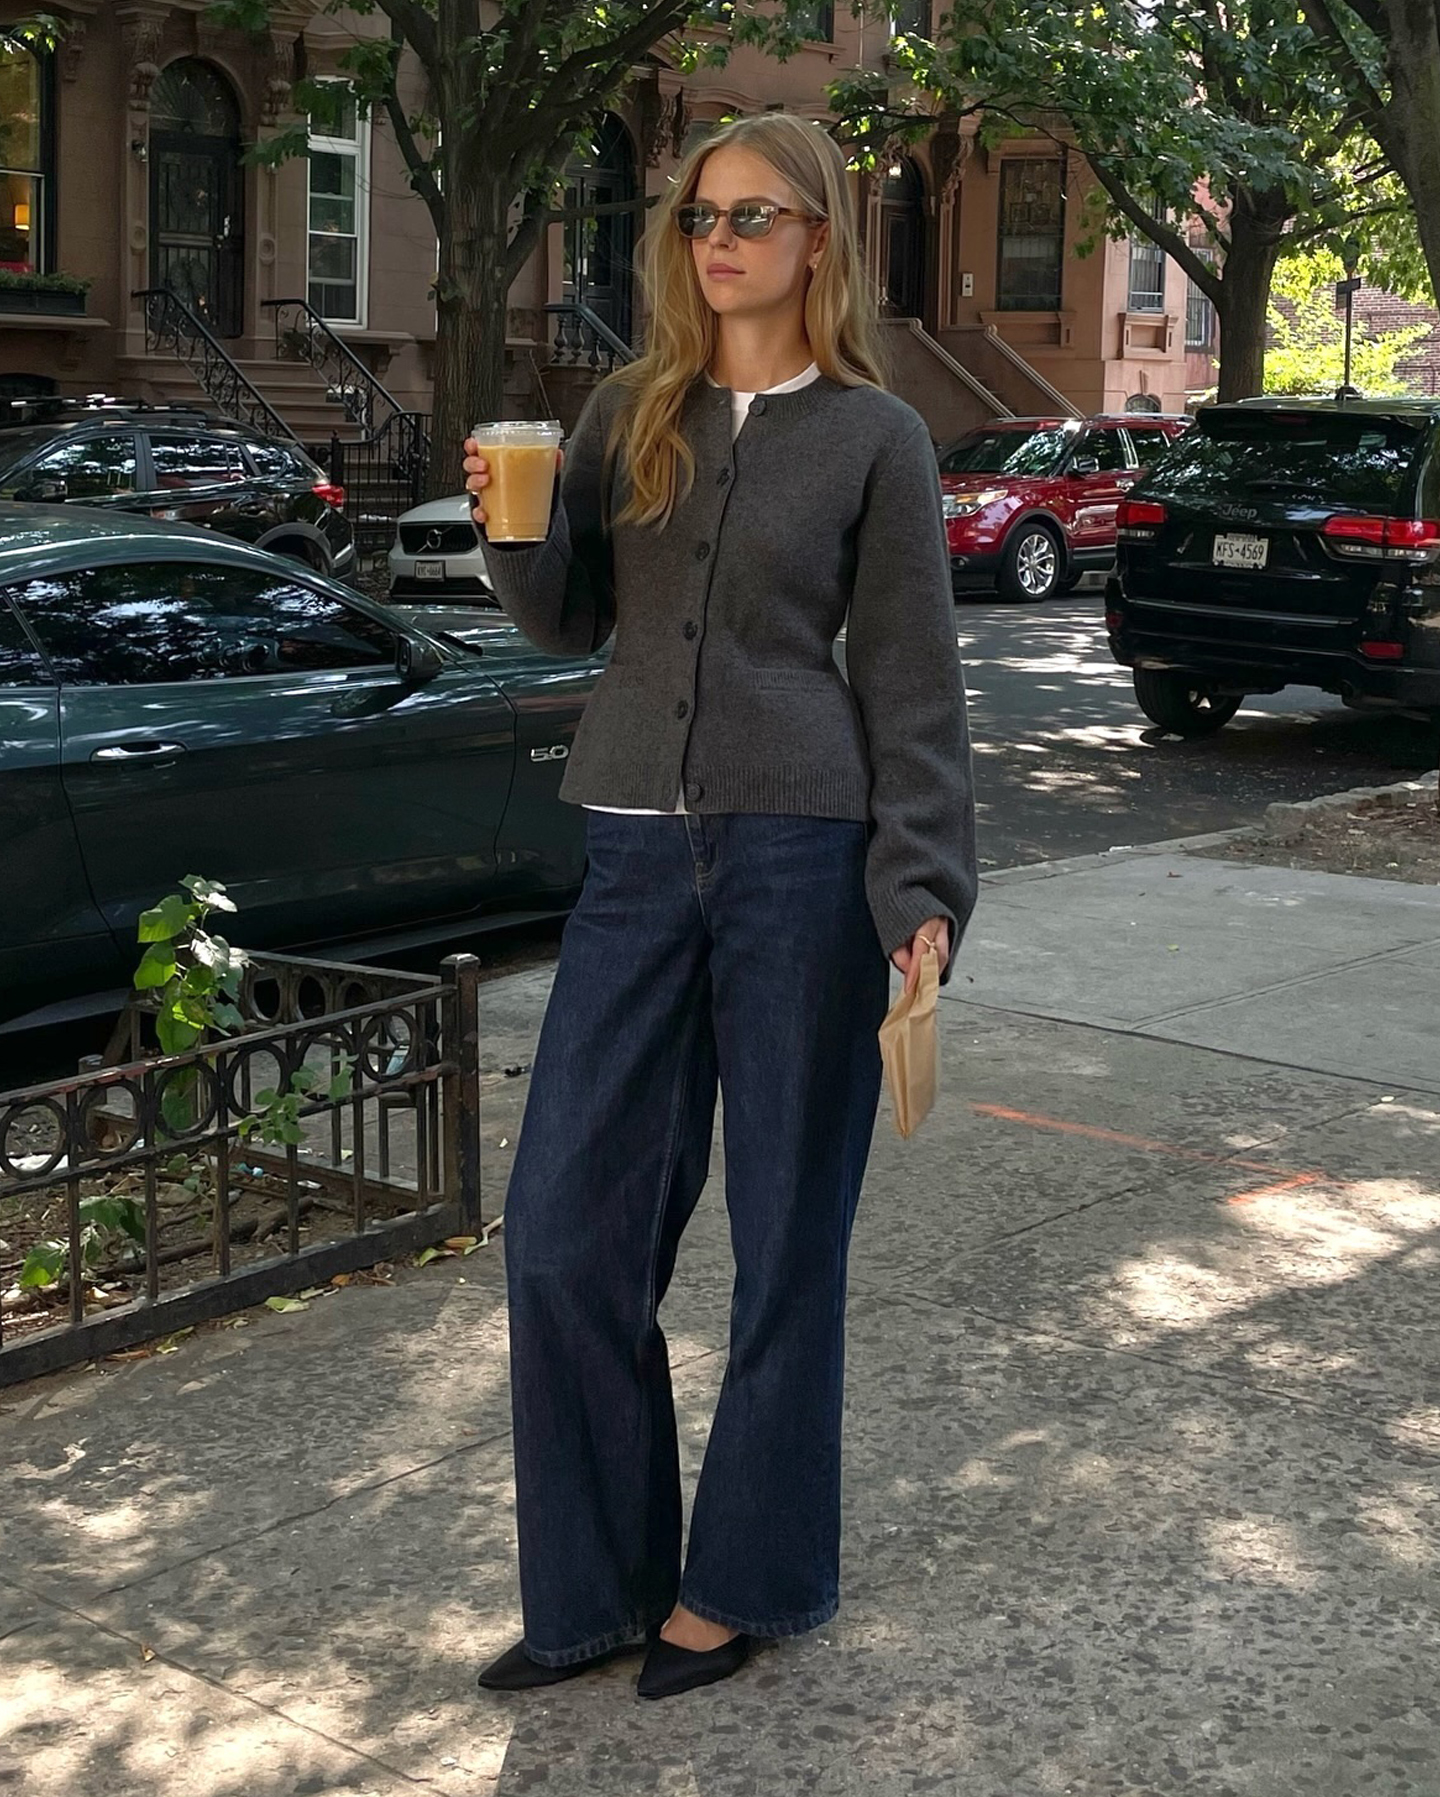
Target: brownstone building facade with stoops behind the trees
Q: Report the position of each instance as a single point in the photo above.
(123, 164)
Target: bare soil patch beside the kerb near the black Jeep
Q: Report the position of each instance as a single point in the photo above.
(1389, 838)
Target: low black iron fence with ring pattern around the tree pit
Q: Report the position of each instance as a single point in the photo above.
(378, 1158)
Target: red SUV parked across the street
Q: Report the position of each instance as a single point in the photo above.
(1031, 502)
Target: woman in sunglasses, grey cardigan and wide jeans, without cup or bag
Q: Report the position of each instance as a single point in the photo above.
(761, 837)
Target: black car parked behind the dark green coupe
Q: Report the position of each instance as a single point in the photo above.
(182, 465)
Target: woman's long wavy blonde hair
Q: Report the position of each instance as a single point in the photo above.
(682, 328)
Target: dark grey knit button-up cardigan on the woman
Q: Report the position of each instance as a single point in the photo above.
(822, 515)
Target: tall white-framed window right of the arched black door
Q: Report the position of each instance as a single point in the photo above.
(339, 209)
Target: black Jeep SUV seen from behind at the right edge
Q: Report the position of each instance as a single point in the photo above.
(1284, 542)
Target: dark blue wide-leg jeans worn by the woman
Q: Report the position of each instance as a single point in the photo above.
(733, 950)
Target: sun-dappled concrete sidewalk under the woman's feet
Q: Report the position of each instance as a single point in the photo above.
(1144, 1428)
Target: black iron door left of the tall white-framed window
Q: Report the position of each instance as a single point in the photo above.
(197, 226)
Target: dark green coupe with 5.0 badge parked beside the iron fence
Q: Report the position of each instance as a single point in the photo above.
(177, 704)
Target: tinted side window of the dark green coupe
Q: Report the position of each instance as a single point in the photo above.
(170, 623)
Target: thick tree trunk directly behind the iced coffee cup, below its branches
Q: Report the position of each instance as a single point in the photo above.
(470, 326)
